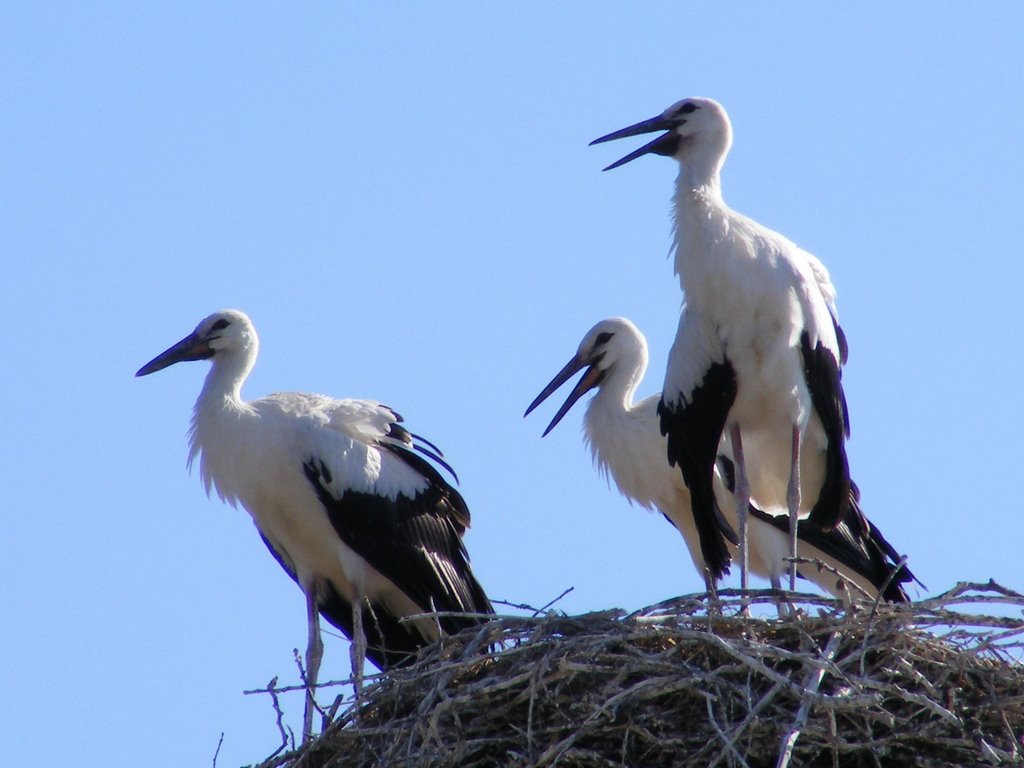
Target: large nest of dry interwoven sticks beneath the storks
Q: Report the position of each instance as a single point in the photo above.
(933, 684)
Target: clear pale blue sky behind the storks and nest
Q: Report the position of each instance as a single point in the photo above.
(404, 201)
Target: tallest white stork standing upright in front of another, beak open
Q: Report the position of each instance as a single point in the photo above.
(758, 355)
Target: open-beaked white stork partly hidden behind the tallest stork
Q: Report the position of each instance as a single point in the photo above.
(626, 442)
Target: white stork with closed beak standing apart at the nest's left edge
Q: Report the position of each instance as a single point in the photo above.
(344, 498)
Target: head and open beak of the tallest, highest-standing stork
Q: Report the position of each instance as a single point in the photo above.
(695, 129)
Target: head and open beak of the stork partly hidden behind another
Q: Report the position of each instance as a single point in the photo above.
(615, 354)
